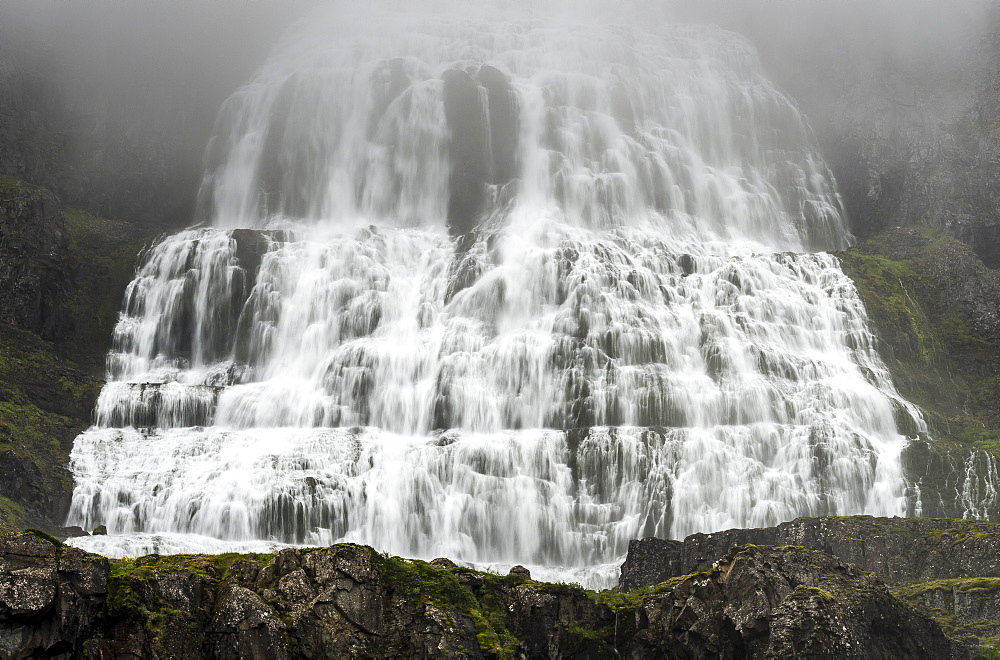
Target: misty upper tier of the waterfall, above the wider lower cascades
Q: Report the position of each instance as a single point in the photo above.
(408, 122)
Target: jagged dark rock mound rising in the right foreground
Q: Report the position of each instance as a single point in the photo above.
(788, 602)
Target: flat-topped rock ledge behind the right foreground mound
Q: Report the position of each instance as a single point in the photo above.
(946, 568)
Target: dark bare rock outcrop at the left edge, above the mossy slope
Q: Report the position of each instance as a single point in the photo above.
(32, 249)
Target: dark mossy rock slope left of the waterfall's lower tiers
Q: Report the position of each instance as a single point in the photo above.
(62, 279)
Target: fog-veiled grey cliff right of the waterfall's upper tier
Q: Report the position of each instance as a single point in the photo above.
(912, 138)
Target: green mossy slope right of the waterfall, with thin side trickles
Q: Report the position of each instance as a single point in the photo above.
(935, 308)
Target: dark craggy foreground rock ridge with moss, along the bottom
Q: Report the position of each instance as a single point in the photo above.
(348, 601)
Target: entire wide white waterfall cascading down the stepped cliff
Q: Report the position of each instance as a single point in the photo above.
(497, 292)
